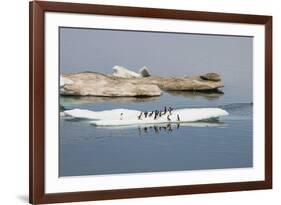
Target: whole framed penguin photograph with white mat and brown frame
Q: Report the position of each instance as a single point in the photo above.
(139, 102)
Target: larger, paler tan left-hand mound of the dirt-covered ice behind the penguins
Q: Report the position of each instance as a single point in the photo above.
(97, 84)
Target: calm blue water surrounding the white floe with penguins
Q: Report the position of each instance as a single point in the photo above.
(89, 150)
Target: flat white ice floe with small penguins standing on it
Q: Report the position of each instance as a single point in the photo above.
(124, 117)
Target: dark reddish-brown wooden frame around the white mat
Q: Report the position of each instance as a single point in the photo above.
(36, 101)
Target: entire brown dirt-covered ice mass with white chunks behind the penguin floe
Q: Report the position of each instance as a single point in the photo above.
(126, 83)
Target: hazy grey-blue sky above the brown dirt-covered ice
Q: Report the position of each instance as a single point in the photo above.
(165, 54)
